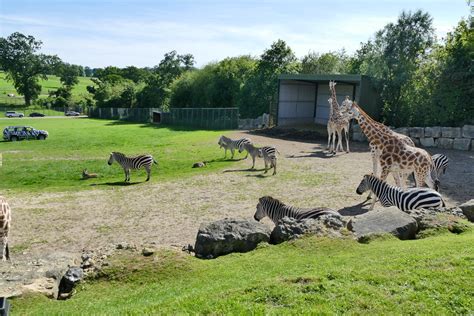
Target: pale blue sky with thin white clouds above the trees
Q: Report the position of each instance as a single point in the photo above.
(99, 33)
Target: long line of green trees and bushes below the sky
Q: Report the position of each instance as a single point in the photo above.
(420, 81)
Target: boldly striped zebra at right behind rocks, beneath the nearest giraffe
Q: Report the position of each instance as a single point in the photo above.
(404, 199)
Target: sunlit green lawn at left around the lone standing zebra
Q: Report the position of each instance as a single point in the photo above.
(75, 144)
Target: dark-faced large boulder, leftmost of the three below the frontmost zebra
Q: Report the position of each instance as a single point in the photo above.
(229, 235)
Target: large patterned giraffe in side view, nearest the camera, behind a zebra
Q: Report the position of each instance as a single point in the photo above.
(394, 154)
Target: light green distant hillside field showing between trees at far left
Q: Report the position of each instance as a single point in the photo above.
(51, 84)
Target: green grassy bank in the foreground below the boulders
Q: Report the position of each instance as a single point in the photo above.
(317, 276)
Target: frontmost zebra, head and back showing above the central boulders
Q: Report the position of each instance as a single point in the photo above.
(276, 210)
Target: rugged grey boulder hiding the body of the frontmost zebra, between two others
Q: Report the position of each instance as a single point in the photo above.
(290, 228)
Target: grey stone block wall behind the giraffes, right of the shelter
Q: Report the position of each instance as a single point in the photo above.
(460, 138)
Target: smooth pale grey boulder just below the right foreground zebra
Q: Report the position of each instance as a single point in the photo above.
(387, 220)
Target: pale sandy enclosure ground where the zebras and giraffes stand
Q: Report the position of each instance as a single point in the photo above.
(169, 213)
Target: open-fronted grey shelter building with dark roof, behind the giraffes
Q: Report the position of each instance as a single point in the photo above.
(303, 99)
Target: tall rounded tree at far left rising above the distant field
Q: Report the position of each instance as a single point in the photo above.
(23, 66)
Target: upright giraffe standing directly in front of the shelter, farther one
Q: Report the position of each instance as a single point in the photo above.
(338, 122)
